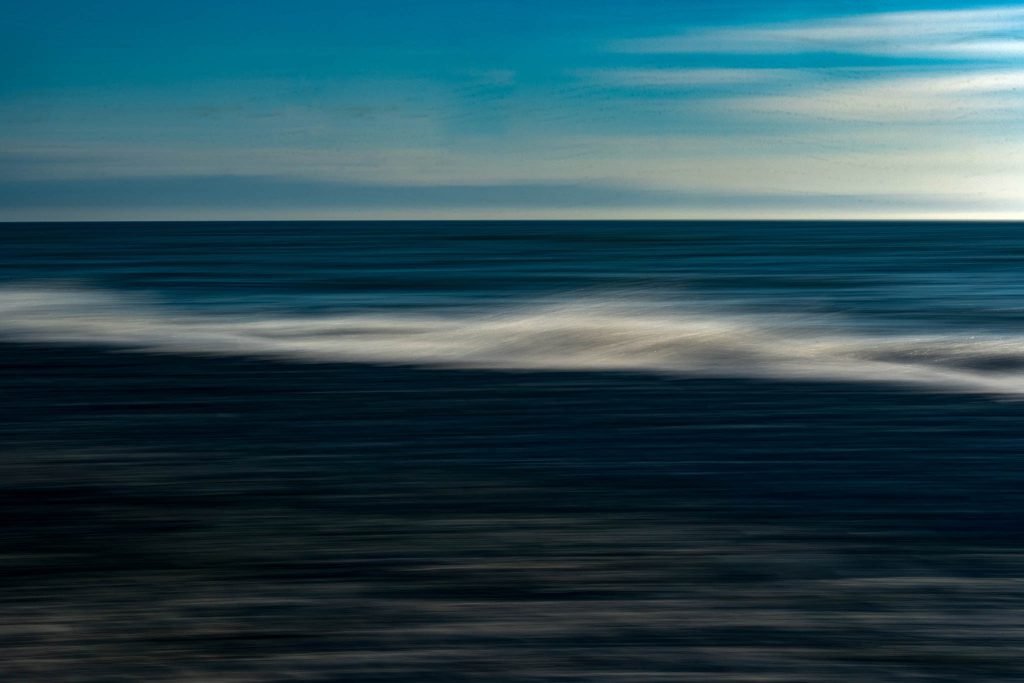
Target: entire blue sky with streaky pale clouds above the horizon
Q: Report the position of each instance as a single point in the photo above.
(225, 110)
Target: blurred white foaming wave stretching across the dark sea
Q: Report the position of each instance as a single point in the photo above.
(589, 334)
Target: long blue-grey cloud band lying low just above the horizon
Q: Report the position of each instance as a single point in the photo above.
(199, 196)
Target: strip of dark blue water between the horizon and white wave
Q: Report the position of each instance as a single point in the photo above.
(943, 273)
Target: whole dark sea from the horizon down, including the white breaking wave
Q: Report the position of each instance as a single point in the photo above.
(513, 452)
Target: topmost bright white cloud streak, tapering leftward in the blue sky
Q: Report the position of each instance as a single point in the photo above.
(989, 33)
